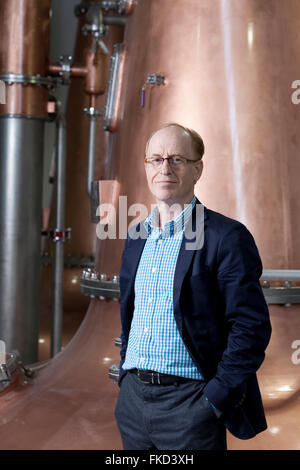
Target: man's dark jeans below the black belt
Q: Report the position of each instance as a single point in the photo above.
(167, 417)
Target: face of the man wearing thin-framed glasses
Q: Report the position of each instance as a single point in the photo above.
(168, 184)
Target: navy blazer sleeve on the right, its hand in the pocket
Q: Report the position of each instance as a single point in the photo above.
(247, 318)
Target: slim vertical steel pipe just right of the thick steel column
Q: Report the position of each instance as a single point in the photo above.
(58, 264)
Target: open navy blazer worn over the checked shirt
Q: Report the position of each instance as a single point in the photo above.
(220, 312)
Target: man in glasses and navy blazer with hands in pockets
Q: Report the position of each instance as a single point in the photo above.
(195, 324)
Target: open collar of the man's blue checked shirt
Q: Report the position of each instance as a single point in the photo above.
(173, 226)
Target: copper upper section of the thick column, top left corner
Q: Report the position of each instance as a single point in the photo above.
(24, 47)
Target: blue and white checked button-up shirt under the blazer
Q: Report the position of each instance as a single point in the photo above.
(154, 341)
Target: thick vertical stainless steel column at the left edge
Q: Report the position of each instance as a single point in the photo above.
(21, 164)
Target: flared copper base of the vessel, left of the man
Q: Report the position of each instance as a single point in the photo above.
(70, 403)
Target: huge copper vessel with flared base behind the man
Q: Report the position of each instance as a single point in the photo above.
(227, 75)
